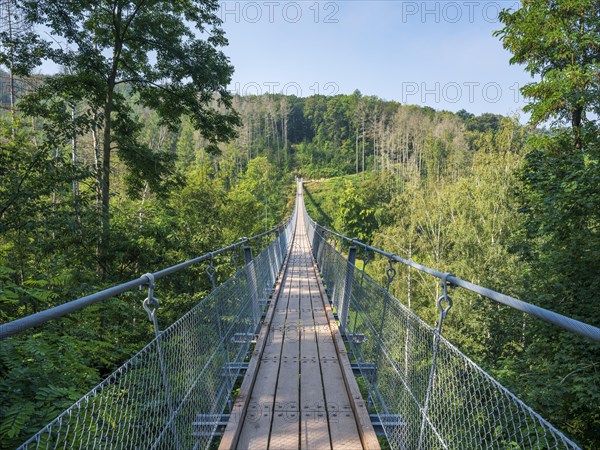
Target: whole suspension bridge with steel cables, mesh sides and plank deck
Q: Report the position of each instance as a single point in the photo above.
(327, 359)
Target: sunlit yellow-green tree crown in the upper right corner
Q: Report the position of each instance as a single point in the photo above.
(559, 41)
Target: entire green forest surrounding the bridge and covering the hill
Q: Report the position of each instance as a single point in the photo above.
(117, 166)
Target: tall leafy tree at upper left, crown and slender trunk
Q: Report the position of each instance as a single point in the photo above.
(166, 52)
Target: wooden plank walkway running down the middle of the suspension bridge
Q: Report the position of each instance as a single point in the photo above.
(299, 391)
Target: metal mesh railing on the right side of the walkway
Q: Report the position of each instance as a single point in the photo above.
(428, 394)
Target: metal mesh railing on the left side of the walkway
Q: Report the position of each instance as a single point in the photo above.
(172, 393)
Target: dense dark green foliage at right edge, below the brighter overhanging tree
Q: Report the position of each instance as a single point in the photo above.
(560, 241)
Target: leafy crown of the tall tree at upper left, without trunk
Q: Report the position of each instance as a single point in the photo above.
(129, 31)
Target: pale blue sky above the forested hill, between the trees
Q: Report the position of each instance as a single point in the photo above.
(436, 53)
